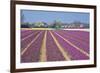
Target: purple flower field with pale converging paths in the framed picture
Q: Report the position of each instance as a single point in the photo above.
(54, 45)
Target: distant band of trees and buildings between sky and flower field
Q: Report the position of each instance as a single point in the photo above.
(55, 24)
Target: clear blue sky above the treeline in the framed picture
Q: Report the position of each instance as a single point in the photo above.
(50, 16)
